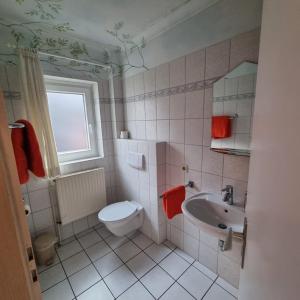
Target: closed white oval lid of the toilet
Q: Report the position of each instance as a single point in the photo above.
(117, 211)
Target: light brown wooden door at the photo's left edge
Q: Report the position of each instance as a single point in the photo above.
(18, 274)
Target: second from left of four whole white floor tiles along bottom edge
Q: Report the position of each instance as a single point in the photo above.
(120, 280)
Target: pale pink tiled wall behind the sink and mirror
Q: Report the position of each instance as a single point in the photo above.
(173, 103)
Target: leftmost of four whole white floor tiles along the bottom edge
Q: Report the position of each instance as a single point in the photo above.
(84, 279)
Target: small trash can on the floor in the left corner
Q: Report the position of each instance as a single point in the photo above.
(44, 248)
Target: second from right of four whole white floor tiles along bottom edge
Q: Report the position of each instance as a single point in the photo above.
(157, 281)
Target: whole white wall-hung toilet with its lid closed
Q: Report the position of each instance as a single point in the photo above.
(122, 218)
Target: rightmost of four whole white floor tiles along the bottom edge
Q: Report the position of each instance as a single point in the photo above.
(195, 282)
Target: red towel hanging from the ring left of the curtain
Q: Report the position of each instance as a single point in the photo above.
(27, 152)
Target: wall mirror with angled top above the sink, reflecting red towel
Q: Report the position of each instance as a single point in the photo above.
(233, 102)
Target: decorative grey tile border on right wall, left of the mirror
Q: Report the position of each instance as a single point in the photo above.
(188, 87)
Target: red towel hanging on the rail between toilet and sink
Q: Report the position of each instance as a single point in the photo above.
(172, 200)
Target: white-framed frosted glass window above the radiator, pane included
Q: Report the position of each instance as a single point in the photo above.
(71, 109)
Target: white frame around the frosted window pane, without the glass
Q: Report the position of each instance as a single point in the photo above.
(90, 91)
